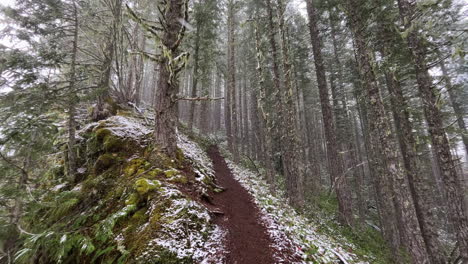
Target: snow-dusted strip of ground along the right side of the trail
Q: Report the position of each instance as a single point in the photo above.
(284, 224)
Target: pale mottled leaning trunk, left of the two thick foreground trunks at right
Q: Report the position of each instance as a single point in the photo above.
(390, 176)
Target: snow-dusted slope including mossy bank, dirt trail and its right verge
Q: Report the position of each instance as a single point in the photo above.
(132, 204)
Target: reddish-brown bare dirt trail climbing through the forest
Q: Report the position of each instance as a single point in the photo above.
(247, 239)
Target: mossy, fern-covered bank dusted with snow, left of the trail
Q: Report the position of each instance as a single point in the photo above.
(129, 203)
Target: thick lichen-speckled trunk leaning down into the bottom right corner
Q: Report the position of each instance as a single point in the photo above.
(429, 95)
